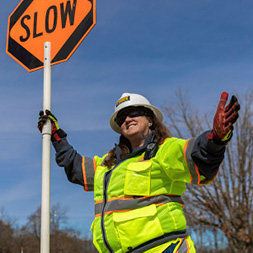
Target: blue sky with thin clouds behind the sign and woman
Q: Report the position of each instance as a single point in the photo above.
(150, 47)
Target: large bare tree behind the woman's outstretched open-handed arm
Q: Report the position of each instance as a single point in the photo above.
(227, 203)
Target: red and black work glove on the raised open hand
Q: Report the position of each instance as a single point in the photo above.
(224, 119)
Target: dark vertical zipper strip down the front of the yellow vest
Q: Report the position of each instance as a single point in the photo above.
(106, 181)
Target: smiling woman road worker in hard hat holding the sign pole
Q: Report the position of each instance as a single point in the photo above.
(138, 184)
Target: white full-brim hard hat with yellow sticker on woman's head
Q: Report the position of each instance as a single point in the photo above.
(131, 99)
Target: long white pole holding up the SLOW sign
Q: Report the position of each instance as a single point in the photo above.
(46, 146)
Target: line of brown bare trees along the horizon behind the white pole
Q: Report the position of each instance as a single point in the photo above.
(27, 238)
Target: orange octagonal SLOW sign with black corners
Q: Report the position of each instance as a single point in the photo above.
(64, 23)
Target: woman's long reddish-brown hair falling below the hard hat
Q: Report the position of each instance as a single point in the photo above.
(161, 133)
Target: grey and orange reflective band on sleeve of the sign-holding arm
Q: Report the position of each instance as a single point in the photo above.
(88, 174)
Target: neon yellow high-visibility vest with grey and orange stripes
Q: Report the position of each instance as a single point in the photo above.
(138, 202)
